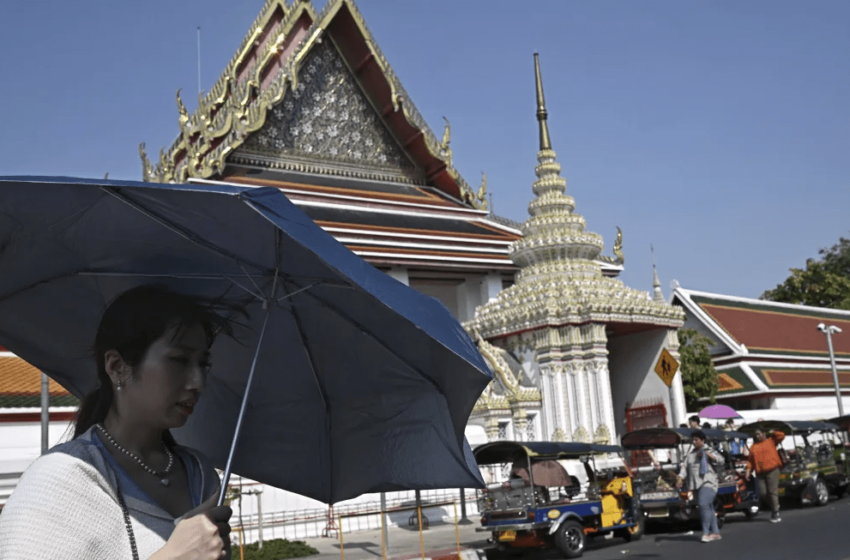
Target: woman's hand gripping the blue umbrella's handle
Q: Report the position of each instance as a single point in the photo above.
(202, 534)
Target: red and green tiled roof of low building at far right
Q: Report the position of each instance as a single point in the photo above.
(769, 347)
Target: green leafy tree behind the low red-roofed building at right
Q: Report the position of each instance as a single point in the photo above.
(824, 282)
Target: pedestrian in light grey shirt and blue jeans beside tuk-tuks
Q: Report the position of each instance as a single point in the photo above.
(698, 471)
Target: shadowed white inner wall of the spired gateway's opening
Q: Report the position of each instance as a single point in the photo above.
(631, 361)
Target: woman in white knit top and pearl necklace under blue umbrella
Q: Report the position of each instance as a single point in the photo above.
(122, 488)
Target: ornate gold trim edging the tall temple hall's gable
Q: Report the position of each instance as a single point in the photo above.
(234, 109)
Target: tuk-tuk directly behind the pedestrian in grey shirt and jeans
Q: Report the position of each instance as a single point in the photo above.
(655, 456)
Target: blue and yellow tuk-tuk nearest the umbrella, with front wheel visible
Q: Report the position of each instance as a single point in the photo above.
(540, 505)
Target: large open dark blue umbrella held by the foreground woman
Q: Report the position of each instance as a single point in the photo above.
(343, 381)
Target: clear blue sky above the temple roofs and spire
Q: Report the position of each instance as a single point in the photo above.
(718, 131)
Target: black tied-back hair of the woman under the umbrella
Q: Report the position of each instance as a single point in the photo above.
(132, 322)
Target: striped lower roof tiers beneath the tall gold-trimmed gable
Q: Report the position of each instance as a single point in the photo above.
(416, 226)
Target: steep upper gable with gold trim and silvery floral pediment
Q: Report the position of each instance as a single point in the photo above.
(268, 83)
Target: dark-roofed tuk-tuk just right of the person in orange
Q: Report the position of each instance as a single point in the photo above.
(813, 465)
